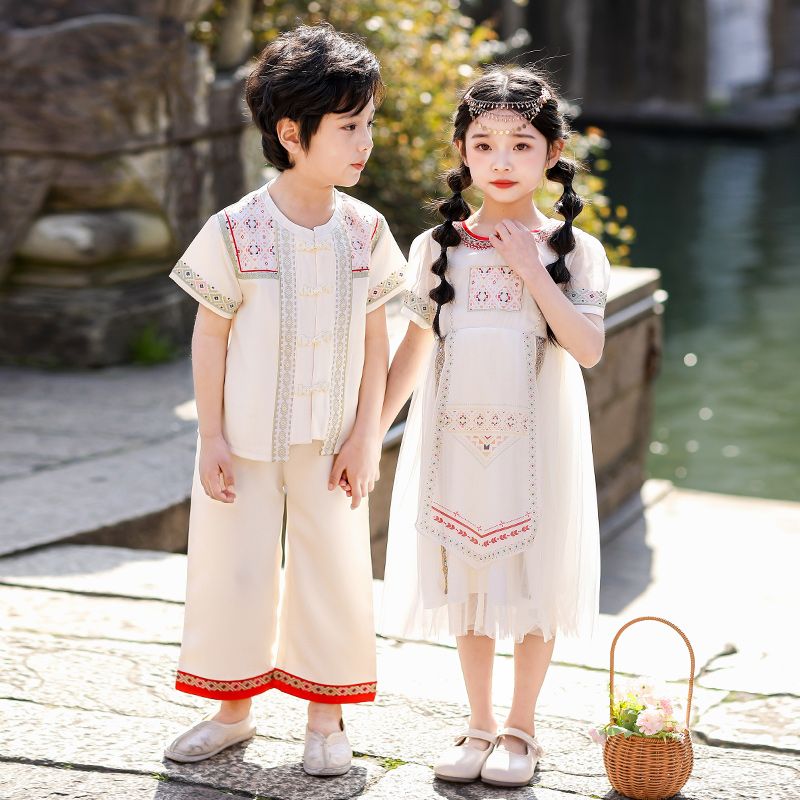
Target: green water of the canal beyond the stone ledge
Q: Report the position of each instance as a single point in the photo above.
(721, 219)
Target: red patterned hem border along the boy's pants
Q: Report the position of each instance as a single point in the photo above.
(275, 679)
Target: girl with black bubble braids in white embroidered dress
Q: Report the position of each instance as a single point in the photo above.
(495, 470)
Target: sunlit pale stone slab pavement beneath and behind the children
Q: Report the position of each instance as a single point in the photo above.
(90, 633)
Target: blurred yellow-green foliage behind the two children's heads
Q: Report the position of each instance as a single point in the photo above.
(429, 51)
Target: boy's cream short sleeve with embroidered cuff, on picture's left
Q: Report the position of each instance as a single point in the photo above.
(206, 272)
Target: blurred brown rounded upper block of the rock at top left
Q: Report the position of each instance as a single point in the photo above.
(97, 84)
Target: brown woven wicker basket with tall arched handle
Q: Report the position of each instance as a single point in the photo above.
(643, 768)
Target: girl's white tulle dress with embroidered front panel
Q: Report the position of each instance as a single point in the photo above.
(493, 524)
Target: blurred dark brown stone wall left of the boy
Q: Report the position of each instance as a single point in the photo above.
(119, 138)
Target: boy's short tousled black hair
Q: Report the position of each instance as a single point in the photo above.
(304, 74)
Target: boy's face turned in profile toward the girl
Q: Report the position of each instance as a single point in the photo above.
(339, 150)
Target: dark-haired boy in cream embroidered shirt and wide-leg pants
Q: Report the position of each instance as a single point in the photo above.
(290, 356)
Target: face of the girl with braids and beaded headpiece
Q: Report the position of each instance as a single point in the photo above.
(506, 167)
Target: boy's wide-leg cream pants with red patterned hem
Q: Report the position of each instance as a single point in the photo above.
(307, 630)
